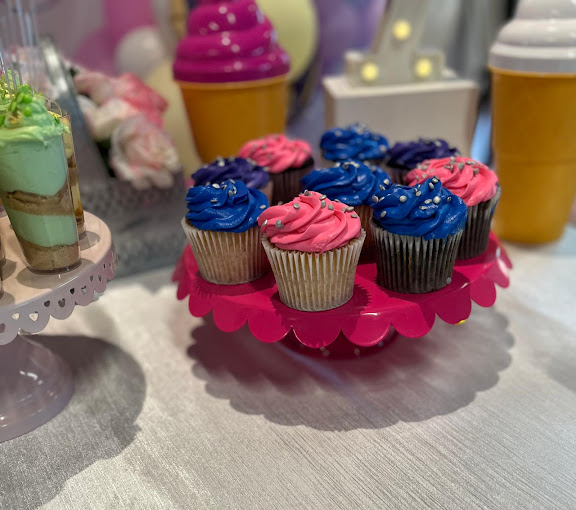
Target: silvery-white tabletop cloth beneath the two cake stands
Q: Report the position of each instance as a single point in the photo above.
(169, 413)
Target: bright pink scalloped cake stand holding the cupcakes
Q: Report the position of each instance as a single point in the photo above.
(367, 320)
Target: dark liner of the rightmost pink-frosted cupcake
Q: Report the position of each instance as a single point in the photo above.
(477, 232)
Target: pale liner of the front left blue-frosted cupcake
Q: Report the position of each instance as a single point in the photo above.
(227, 258)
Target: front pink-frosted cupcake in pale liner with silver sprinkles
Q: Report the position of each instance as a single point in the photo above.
(313, 245)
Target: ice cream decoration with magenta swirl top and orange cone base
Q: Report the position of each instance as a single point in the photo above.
(233, 76)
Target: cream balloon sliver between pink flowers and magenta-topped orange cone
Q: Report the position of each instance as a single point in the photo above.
(175, 118)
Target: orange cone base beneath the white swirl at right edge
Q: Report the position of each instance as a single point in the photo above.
(534, 142)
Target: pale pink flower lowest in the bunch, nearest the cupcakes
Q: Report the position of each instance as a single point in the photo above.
(143, 153)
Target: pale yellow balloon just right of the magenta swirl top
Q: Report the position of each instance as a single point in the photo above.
(297, 26)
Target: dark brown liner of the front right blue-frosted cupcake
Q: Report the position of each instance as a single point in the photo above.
(413, 265)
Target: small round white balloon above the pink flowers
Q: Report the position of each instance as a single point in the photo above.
(140, 51)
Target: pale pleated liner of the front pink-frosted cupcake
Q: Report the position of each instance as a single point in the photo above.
(313, 282)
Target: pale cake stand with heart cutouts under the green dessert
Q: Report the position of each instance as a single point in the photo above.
(35, 384)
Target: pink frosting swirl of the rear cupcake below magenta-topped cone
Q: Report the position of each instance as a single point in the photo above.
(277, 152)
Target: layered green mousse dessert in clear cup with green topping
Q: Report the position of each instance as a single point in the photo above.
(34, 183)
